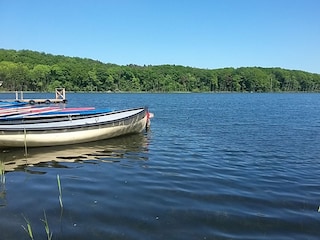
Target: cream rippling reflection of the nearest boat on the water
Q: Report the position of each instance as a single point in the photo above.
(132, 147)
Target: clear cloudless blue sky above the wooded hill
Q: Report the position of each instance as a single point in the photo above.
(206, 34)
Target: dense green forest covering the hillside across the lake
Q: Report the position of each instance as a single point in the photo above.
(36, 71)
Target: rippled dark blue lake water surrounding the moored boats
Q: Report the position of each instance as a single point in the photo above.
(213, 166)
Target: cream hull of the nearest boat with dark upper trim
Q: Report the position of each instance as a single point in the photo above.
(74, 131)
